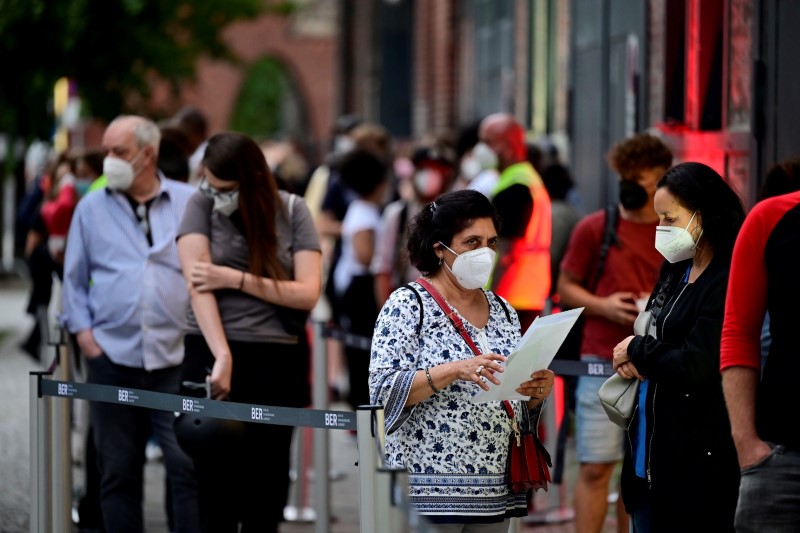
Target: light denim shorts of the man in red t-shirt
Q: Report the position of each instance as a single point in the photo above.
(597, 439)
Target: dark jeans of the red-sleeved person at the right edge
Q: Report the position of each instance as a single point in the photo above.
(769, 494)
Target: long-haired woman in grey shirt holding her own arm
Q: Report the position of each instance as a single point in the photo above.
(249, 253)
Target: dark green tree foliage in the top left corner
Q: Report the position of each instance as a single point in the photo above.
(111, 48)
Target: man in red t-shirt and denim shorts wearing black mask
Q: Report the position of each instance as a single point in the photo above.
(631, 270)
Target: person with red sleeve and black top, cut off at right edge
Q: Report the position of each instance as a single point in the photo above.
(763, 278)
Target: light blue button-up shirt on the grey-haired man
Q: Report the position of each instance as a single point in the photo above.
(132, 295)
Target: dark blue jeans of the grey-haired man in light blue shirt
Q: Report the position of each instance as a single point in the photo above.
(120, 435)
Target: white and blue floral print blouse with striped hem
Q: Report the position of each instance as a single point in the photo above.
(454, 450)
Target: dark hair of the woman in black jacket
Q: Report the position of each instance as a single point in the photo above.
(698, 187)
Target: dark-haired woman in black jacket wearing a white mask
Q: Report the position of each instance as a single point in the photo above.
(680, 471)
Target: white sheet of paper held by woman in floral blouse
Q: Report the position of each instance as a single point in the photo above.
(535, 351)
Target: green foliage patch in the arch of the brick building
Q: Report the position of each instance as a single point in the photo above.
(258, 107)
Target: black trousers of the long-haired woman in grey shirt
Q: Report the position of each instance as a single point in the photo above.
(248, 483)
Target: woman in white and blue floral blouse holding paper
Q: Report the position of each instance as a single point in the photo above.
(424, 373)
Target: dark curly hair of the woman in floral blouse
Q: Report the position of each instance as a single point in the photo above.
(451, 213)
